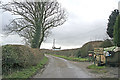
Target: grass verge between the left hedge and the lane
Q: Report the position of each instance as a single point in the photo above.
(28, 72)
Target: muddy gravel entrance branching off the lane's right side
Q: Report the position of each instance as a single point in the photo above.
(108, 72)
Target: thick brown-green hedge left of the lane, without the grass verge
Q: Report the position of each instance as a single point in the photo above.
(17, 57)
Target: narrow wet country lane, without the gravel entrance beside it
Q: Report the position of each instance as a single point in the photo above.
(61, 68)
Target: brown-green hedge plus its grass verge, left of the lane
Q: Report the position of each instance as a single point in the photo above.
(19, 61)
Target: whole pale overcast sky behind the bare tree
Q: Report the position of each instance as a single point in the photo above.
(87, 21)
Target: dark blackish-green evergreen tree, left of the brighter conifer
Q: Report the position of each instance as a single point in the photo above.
(111, 22)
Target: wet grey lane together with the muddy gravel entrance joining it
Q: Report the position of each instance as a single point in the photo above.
(61, 68)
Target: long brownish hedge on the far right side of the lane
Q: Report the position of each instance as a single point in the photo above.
(79, 52)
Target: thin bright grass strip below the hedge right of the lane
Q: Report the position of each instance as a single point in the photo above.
(73, 59)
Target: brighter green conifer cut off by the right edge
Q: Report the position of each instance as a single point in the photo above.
(117, 32)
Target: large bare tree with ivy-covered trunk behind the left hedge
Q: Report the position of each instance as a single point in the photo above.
(36, 19)
